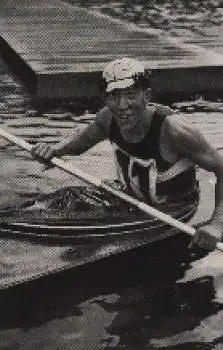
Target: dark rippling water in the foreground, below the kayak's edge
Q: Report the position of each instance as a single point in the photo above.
(155, 301)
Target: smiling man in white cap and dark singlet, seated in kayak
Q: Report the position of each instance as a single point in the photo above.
(156, 149)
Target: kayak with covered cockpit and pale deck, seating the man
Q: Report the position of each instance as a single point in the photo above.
(75, 227)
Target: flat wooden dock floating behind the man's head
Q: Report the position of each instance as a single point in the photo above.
(59, 50)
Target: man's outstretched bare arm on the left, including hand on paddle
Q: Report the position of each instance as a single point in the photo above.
(77, 143)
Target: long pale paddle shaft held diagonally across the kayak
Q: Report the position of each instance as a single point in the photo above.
(98, 183)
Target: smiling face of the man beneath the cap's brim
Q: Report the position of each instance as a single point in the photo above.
(127, 106)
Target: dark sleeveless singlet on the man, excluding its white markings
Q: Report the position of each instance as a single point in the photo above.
(181, 186)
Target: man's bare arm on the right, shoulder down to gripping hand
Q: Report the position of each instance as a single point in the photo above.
(186, 140)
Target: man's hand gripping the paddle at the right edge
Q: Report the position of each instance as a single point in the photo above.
(207, 236)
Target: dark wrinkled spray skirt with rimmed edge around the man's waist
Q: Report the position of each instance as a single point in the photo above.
(84, 215)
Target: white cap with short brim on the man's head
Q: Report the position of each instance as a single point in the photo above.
(120, 73)
